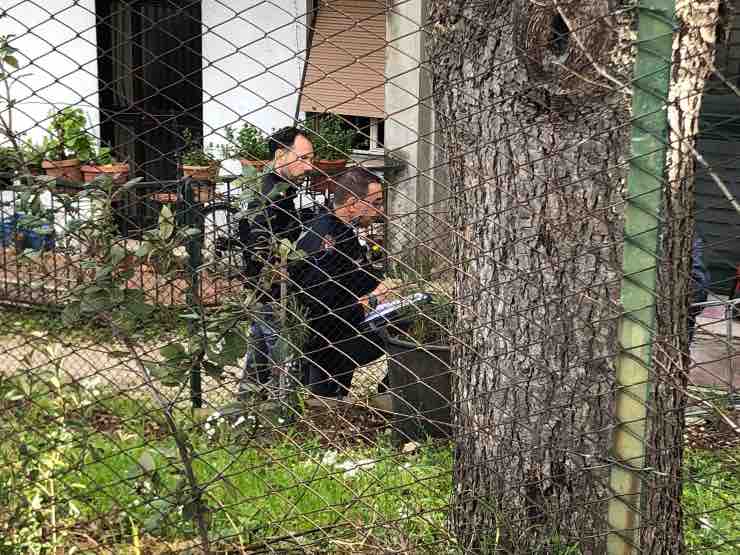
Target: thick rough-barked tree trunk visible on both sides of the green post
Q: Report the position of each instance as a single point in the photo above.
(533, 101)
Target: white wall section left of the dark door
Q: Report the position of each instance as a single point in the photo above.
(58, 60)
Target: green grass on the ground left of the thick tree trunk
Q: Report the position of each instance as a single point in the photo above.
(284, 486)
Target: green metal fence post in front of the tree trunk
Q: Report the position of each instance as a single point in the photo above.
(641, 242)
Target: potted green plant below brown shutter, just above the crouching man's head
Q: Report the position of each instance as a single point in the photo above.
(332, 140)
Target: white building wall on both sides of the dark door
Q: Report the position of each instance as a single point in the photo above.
(253, 57)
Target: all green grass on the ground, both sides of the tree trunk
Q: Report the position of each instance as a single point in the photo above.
(279, 484)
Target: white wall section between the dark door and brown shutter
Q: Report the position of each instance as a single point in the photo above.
(253, 56)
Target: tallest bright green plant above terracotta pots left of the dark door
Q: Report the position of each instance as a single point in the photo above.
(69, 137)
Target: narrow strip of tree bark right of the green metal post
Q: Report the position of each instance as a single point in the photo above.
(694, 47)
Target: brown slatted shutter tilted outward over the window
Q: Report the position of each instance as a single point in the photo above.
(346, 63)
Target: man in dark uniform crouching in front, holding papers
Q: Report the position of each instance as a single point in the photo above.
(332, 279)
